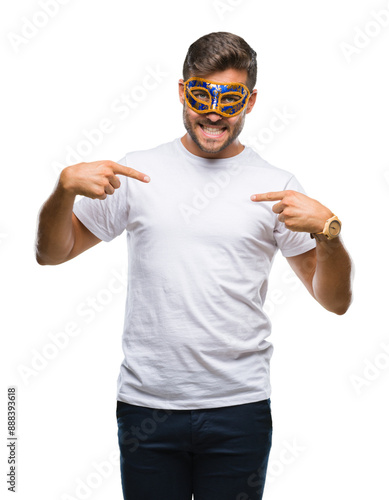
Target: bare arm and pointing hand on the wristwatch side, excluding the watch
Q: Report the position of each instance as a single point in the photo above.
(326, 271)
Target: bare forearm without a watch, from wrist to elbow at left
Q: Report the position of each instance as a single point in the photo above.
(55, 233)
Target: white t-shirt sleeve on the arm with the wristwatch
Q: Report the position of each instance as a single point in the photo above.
(292, 243)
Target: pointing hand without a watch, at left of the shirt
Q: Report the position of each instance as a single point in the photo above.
(96, 179)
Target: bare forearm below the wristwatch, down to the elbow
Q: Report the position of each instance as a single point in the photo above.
(332, 280)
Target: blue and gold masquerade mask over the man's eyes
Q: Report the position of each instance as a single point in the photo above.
(226, 99)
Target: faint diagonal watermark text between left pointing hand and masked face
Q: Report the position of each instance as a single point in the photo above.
(120, 107)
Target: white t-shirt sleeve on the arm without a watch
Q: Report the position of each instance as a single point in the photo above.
(107, 218)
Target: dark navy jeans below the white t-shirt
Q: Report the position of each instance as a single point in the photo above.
(214, 453)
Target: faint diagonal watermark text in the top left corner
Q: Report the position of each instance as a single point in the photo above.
(33, 25)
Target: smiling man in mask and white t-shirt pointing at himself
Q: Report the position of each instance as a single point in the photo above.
(193, 395)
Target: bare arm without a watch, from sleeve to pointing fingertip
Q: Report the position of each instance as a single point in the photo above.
(60, 235)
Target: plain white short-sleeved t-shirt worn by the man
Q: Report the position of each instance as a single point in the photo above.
(199, 256)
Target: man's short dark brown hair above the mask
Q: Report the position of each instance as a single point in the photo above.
(218, 52)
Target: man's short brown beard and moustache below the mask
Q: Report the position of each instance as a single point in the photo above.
(209, 145)
